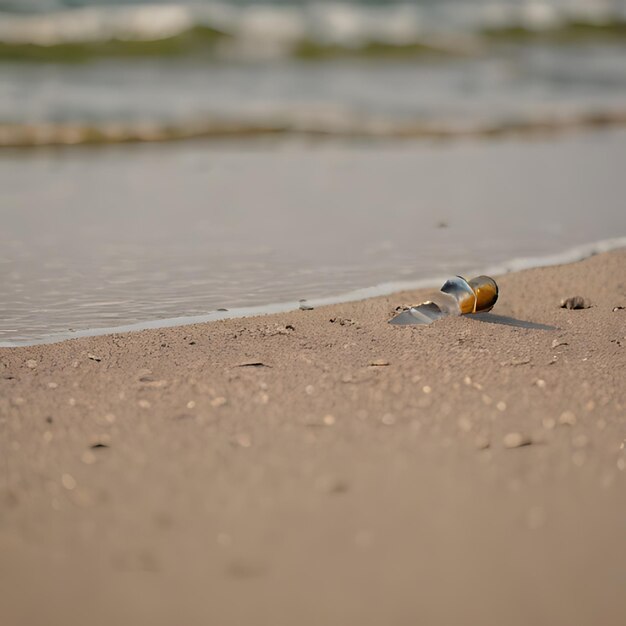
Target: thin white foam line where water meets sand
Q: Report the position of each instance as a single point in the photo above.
(570, 255)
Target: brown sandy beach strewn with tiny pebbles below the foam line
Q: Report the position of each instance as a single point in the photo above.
(364, 474)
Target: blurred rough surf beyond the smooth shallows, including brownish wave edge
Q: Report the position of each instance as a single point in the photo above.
(100, 71)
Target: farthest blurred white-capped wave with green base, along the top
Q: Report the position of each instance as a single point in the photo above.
(254, 31)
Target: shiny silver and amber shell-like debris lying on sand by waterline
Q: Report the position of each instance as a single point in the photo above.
(457, 296)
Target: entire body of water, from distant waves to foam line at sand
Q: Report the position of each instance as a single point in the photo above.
(318, 164)
